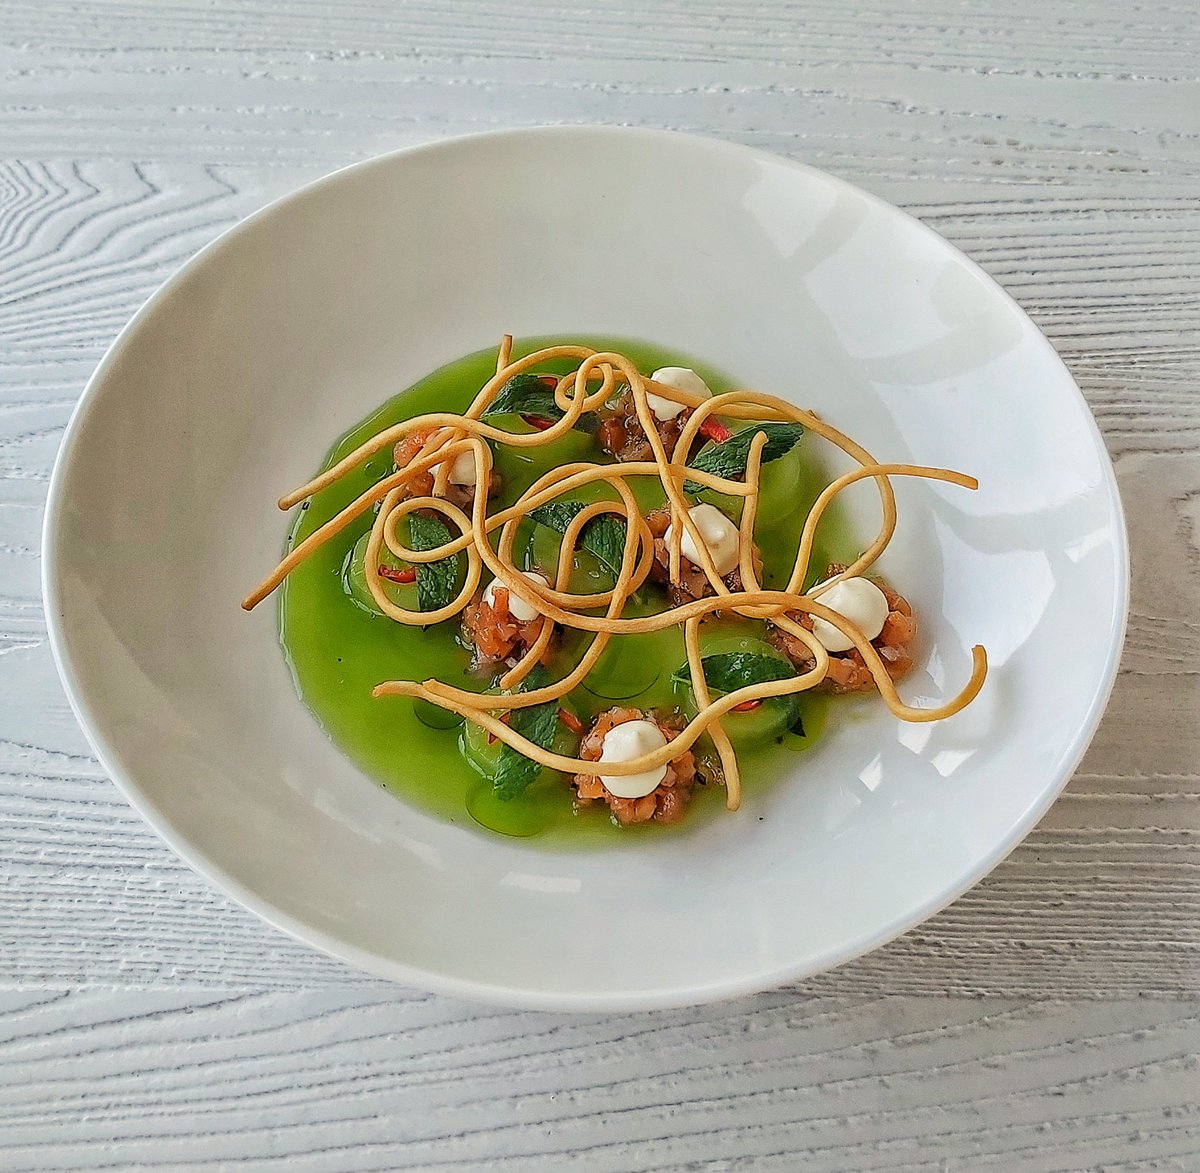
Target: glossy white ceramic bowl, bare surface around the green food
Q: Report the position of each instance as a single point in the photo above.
(230, 384)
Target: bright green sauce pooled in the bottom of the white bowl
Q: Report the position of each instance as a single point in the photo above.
(339, 652)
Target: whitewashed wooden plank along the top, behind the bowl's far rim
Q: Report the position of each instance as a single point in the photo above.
(926, 94)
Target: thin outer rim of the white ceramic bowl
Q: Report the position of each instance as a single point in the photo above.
(521, 997)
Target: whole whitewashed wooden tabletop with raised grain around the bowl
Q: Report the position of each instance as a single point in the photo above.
(1047, 1021)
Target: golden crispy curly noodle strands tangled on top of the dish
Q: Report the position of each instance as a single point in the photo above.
(454, 435)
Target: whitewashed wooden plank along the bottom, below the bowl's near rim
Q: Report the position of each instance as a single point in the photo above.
(323, 1081)
